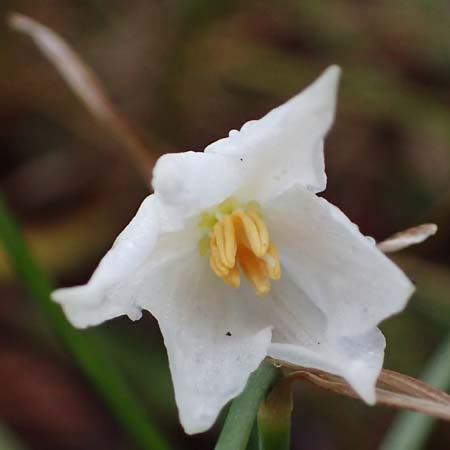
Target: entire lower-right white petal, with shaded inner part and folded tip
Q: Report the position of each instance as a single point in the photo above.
(299, 337)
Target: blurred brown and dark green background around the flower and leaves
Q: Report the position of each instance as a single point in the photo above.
(186, 72)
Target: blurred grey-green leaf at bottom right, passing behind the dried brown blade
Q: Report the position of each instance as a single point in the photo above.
(410, 431)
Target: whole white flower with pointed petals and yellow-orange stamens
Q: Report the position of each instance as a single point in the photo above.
(239, 259)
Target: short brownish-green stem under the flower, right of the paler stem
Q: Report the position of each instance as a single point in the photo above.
(275, 417)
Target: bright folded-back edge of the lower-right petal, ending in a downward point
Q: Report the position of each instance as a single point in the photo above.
(358, 359)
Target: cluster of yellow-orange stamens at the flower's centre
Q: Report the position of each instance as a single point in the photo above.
(237, 239)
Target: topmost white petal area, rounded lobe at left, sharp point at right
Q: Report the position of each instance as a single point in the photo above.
(266, 157)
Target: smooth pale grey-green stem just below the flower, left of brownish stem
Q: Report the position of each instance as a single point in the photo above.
(241, 416)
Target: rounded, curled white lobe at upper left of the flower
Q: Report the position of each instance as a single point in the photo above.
(190, 182)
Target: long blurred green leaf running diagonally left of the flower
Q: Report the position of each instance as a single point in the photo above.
(96, 365)
